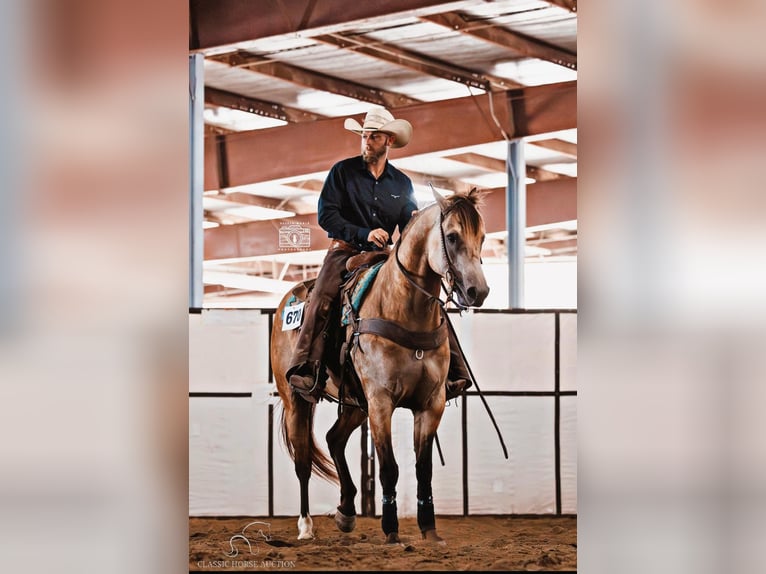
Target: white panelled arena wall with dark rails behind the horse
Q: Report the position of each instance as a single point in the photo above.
(523, 361)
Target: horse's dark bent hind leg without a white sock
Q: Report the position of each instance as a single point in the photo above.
(337, 439)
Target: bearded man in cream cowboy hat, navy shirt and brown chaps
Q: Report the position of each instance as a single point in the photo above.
(363, 200)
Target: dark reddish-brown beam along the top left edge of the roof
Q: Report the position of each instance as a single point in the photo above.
(216, 24)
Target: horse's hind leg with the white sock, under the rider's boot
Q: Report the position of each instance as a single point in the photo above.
(297, 424)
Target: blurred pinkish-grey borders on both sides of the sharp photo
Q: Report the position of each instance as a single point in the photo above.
(93, 286)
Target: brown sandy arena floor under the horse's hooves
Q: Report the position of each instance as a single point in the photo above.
(505, 543)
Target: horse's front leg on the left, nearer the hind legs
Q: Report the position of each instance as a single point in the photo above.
(380, 411)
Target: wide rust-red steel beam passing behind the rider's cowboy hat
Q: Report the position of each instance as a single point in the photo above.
(259, 155)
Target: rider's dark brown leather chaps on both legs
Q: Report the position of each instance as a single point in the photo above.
(311, 338)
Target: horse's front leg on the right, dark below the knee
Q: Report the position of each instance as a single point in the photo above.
(426, 423)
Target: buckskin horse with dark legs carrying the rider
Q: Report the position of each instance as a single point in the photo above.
(441, 242)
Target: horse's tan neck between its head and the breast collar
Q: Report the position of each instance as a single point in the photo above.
(399, 300)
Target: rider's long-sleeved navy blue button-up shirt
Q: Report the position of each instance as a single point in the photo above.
(353, 202)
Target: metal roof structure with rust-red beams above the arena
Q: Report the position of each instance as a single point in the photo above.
(274, 65)
